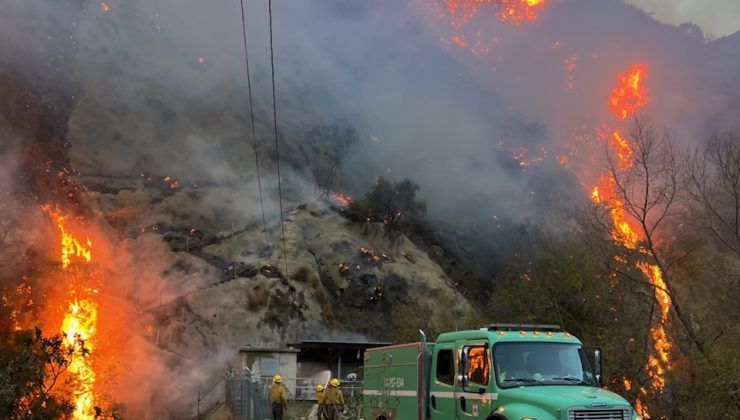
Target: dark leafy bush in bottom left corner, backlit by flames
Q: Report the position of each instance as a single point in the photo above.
(31, 366)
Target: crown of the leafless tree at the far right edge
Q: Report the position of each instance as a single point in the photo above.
(714, 185)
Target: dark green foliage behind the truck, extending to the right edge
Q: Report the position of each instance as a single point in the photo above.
(608, 303)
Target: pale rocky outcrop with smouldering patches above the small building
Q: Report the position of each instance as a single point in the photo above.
(391, 287)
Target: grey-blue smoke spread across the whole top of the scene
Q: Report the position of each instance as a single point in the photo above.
(162, 90)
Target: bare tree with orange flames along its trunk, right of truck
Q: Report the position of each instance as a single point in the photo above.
(640, 191)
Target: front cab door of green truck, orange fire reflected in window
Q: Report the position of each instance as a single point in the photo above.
(472, 384)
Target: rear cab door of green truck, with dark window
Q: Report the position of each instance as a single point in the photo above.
(442, 382)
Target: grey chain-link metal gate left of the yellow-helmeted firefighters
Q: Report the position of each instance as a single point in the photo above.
(247, 399)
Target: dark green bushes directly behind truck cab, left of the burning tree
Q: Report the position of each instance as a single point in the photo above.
(561, 281)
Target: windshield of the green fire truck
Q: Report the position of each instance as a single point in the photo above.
(536, 364)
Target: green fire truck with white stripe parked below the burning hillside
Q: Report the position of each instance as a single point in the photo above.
(501, 372)
